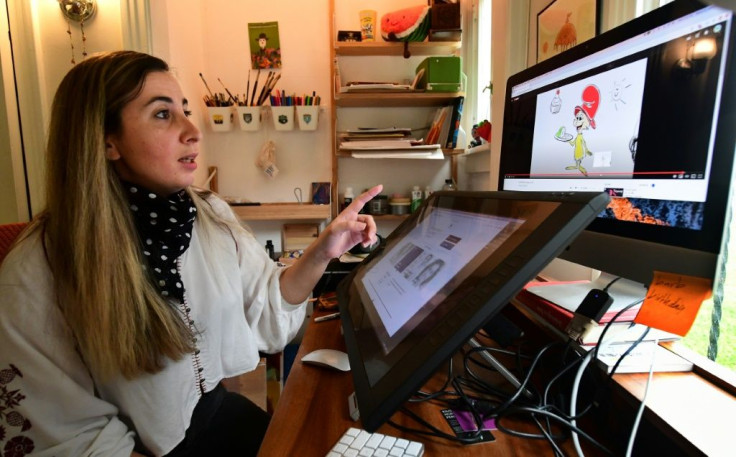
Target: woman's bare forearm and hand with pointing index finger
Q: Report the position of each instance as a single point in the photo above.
(345, 231)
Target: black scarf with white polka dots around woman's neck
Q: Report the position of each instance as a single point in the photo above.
(165, 228)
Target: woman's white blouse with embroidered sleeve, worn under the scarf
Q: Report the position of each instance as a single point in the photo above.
(51, 405)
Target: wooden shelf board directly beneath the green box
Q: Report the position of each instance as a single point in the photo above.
(381, 99)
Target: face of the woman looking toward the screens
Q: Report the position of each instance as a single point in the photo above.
(157, 145)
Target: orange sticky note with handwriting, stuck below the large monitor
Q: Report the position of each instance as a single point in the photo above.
(673, 301)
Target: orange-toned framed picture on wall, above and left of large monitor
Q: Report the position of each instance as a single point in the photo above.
(563, 24)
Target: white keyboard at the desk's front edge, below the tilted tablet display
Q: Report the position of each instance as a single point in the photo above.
(359, 443)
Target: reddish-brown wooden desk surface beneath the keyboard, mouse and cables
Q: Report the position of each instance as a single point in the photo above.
(312, 412)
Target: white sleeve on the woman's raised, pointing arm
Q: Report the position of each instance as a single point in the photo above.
(274, 321)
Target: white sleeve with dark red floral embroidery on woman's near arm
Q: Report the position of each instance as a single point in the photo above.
(47, 402)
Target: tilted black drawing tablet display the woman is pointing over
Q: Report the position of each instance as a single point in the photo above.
(440, 276)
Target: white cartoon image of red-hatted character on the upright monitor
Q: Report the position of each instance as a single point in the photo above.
(590, 127)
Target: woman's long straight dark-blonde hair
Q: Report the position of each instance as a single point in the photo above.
(120, 322)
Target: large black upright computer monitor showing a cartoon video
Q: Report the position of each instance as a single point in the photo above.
(647, 113)
